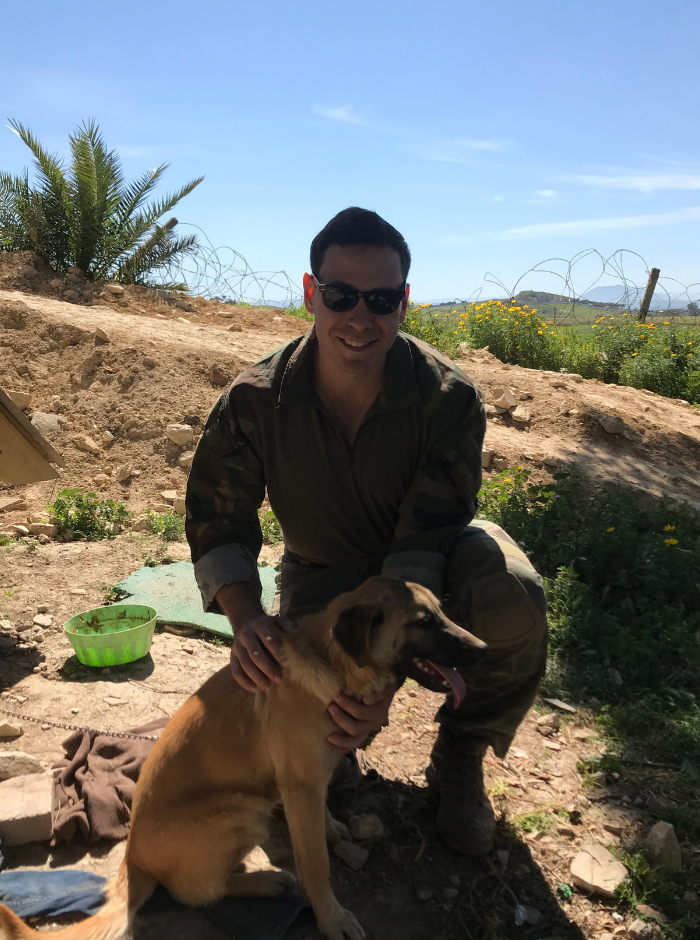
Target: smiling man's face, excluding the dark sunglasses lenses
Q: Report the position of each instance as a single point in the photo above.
(356, 340)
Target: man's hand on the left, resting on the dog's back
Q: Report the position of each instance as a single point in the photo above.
(256, 654)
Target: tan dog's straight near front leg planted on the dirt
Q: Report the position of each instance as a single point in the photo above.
(305, 809)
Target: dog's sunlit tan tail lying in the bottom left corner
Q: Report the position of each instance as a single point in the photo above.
(125, 894)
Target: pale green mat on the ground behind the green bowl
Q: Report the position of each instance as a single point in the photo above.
(173, 592)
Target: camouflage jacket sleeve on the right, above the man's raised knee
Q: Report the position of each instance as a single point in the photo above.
(442, 498)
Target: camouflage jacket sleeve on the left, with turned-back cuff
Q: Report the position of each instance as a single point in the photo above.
(225, 489)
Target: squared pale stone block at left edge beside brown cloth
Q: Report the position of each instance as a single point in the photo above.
(26, 808)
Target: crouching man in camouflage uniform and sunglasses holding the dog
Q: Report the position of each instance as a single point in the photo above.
(369, 444)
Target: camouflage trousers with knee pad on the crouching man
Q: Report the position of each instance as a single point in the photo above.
(491, 589)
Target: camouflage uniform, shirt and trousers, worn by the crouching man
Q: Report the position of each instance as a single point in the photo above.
(400, 501)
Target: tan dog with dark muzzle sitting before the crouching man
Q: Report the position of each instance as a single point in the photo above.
(227, 758)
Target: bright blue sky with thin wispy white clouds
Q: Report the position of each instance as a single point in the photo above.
(493, 135)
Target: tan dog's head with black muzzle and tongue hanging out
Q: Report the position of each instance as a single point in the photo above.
(398, 627)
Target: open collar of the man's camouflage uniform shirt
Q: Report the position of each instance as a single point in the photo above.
(400, 387)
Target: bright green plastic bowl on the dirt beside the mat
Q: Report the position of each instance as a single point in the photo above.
(110, 636)
